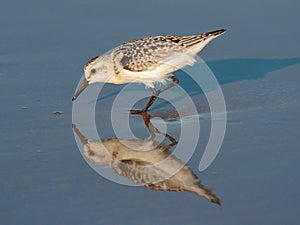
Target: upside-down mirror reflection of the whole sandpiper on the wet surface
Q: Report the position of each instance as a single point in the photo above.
(145, 162)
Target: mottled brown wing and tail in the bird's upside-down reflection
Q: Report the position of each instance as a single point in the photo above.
(159, 178)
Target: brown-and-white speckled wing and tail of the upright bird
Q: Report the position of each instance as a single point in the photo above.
(149, 53)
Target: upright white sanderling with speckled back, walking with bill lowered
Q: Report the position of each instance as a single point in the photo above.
(146, 60)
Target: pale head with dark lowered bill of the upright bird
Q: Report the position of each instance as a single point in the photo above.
(97, 69)
